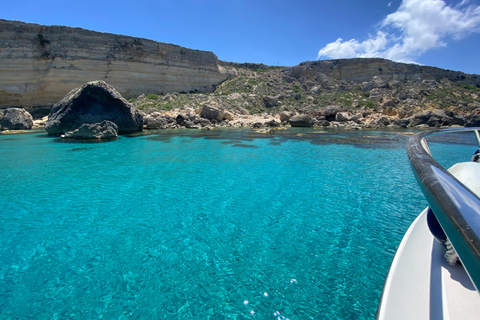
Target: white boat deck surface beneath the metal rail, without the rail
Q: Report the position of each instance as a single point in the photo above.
(421, 284)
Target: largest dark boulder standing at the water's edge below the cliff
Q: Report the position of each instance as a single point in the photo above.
(92, 103)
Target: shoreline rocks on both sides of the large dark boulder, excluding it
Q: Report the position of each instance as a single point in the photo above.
(208, 118)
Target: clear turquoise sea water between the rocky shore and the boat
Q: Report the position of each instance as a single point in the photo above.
(203, 224)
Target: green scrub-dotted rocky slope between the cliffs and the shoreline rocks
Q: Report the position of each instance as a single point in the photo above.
(272, 90)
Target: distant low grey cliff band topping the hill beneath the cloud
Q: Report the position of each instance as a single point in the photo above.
(364, 69)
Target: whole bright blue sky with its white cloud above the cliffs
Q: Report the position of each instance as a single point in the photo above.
(439, 33)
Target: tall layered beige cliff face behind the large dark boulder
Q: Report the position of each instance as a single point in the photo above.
(40, 64)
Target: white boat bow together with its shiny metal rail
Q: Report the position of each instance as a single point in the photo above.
(421, 284)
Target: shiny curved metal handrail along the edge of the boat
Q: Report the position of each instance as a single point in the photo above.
(455, 206)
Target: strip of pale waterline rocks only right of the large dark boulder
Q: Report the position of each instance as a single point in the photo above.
(331, 116)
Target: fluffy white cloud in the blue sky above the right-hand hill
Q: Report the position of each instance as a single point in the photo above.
(416, 27)
